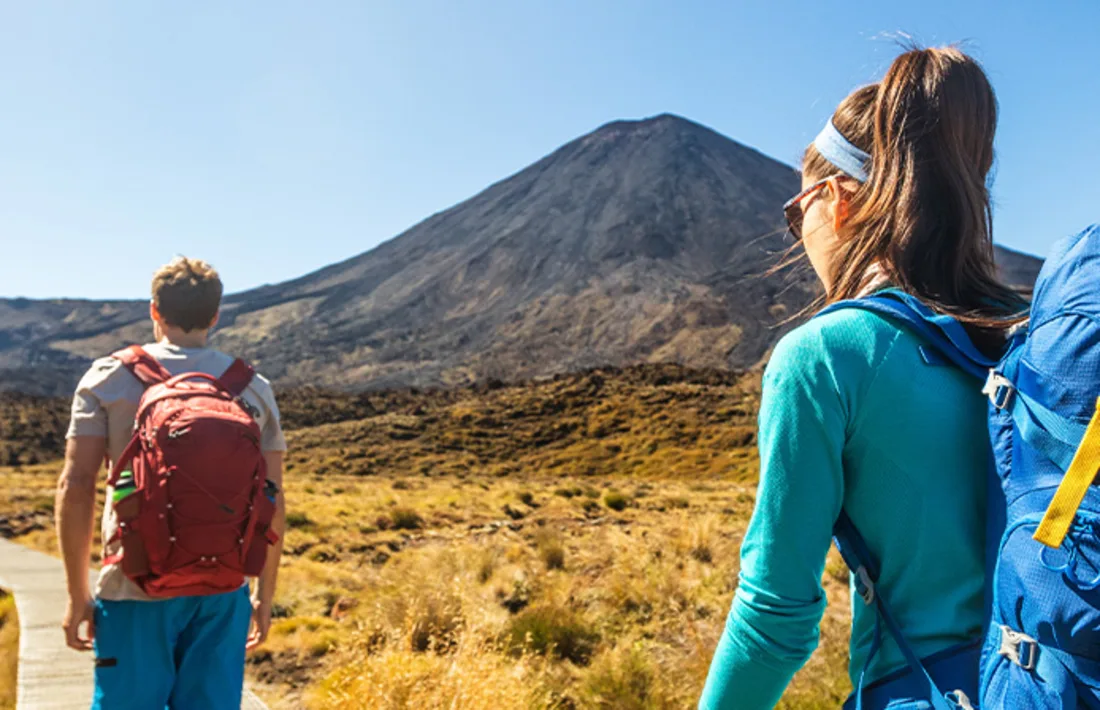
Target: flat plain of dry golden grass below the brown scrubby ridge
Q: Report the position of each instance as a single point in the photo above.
(373, 617)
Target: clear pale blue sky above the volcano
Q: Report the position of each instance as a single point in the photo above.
(274, 138)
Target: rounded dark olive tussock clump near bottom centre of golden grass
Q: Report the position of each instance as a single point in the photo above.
(552, 630)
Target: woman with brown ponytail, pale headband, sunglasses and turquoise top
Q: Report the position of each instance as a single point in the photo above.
(855, 419)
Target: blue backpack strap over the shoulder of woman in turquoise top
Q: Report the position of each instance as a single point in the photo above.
(944, 334)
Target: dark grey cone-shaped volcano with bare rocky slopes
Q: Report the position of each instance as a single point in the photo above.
(642, 242)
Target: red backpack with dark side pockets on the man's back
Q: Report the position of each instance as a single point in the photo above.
(191, 489)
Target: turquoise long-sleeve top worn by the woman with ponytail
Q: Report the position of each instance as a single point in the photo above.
(853, 417)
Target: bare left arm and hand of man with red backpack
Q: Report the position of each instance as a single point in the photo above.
(75, 514)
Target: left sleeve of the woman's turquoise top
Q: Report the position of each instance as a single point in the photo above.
(773, 627)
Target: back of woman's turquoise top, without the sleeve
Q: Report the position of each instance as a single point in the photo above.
(916, 463)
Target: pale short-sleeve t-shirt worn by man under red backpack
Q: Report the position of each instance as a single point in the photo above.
(106, 405)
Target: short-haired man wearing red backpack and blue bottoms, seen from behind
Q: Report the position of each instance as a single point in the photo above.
(194, 508)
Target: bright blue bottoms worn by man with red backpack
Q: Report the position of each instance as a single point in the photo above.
(185, 653)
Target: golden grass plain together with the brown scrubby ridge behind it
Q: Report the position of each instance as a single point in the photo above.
(567, 545)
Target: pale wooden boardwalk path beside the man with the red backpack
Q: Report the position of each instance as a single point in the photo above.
(52, 676)
